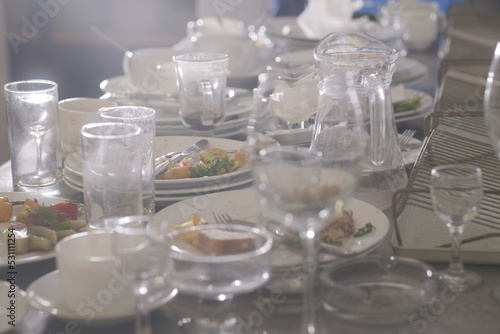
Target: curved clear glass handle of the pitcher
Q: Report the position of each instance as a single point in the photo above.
(376, 96)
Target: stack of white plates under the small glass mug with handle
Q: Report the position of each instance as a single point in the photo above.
(168, 122)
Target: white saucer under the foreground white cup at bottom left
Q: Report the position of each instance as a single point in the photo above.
(44, 295)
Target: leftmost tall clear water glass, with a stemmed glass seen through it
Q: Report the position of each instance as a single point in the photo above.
(33, 135)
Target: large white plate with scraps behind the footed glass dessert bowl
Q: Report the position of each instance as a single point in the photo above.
(240, 204)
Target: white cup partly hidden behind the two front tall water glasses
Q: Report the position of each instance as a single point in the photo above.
(74, 113)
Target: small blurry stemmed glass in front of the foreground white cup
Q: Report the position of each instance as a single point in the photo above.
(140, 255)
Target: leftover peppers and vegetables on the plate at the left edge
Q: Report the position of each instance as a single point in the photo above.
(34, 227)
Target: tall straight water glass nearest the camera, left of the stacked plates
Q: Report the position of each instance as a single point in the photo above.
(112, 165)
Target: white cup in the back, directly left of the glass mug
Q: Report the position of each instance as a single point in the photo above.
(151, 70)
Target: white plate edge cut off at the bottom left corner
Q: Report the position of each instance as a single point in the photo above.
(11, 295)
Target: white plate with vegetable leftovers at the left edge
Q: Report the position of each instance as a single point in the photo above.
(23, 247)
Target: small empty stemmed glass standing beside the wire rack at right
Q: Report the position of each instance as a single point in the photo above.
(456, 192)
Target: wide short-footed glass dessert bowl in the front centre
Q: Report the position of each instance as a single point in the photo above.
(215, 262)
